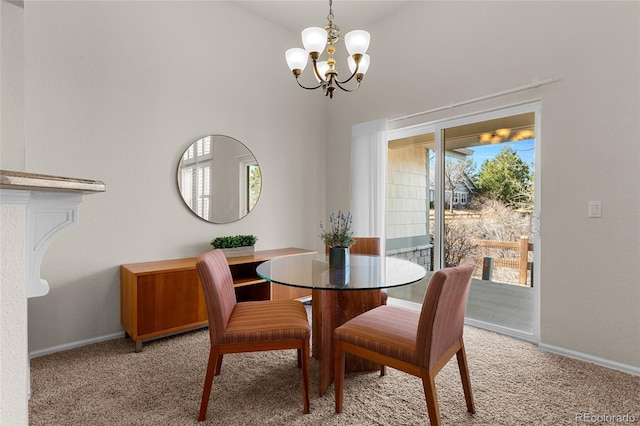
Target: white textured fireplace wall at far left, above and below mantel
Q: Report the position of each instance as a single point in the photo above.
(13, 303)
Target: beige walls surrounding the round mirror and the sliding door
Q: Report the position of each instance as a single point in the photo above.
(116, 90)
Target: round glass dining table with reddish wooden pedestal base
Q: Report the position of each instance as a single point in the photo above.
(339, 294)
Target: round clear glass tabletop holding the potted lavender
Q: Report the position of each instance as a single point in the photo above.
(364, 272)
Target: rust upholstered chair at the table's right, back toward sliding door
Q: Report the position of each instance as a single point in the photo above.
(418, 343)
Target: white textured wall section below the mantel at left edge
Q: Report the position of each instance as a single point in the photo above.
(13, 315)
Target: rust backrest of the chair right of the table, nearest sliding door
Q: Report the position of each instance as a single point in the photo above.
(442, 316)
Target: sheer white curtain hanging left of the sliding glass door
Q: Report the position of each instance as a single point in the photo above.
(368, 178)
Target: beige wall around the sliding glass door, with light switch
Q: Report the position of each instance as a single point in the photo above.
(432, 54)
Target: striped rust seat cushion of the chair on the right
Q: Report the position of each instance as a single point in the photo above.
(388, 330)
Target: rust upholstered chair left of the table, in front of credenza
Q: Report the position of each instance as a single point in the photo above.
(248, 326)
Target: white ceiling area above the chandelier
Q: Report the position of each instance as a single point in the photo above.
(297, 15)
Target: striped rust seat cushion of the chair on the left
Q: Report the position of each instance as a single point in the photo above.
(267, 320)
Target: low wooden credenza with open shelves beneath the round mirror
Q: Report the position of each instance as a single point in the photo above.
(165, 297)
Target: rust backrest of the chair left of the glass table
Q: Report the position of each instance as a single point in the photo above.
(219, 294)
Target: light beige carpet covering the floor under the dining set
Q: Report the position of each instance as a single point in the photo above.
(513, 382)
